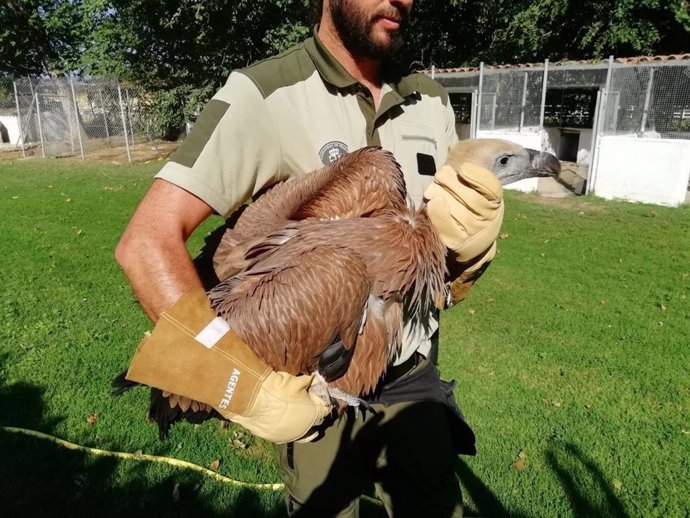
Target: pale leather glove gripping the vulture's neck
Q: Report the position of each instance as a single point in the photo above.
(465, 205)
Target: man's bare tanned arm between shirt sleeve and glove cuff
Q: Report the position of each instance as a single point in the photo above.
(152, 250)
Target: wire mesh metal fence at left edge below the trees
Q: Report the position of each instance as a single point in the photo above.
(55, 117)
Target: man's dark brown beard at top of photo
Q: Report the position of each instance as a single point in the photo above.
(355, 29)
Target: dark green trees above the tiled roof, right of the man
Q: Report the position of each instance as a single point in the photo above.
(514, 31)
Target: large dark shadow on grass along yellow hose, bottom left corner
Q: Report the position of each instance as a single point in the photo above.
(39, 478)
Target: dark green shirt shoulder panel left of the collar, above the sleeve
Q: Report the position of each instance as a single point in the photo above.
(286, 69)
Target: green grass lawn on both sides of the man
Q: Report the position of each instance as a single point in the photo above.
(571, 356)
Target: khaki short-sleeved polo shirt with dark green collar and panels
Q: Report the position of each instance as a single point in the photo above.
(291, 114)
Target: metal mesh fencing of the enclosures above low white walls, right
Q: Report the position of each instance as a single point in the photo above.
(646, 98)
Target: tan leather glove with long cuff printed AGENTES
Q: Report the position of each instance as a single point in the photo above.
(193, 353)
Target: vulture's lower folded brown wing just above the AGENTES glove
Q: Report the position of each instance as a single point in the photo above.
(302, 296)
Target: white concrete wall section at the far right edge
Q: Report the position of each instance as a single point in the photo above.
(643, 170)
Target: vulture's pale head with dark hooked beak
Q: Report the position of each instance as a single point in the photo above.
(510, 162)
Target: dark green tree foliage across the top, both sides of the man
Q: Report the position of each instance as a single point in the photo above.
(183, 50)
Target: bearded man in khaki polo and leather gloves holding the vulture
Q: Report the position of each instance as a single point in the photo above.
(283, 117)
